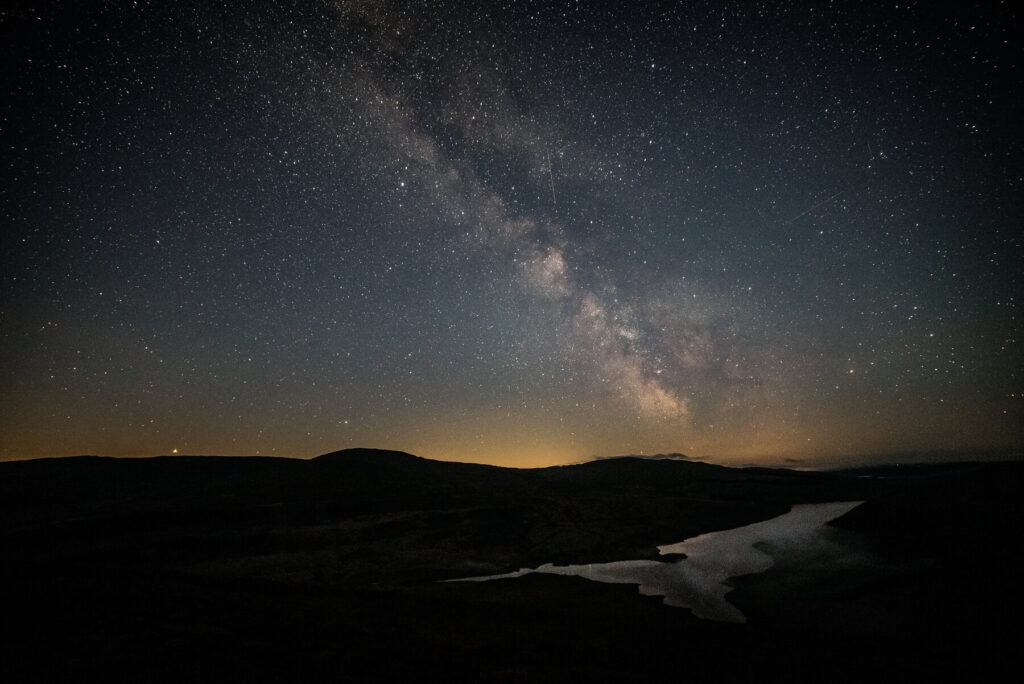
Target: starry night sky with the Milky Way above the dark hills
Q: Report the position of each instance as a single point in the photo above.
(521, 233)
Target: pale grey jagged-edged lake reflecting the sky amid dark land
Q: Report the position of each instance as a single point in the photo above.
(698, 582)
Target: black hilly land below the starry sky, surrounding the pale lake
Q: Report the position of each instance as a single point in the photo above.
(190, 568)
